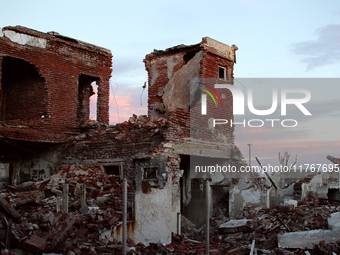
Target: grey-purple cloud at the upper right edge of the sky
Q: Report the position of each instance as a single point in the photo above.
(323, 51)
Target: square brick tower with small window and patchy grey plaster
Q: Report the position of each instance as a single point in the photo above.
(174, 77)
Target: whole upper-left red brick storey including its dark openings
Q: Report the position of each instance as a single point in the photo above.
(42, 83)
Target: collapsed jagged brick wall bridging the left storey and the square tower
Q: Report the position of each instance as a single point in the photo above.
(137, 136)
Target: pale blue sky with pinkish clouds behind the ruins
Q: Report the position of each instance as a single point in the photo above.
(276, 39)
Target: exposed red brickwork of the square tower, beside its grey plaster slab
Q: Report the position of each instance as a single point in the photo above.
(157, 66)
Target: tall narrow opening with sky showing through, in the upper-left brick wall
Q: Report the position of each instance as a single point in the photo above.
(87, 87)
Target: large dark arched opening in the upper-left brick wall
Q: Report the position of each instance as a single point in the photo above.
(23, 93)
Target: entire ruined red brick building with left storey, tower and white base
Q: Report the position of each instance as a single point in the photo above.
(46, 82)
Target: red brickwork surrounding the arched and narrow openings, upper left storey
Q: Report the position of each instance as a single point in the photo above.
(60, 65)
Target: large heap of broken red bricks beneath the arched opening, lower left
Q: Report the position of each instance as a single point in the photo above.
(43, 227)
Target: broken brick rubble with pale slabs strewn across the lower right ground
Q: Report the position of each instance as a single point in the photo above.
(258, 226)
